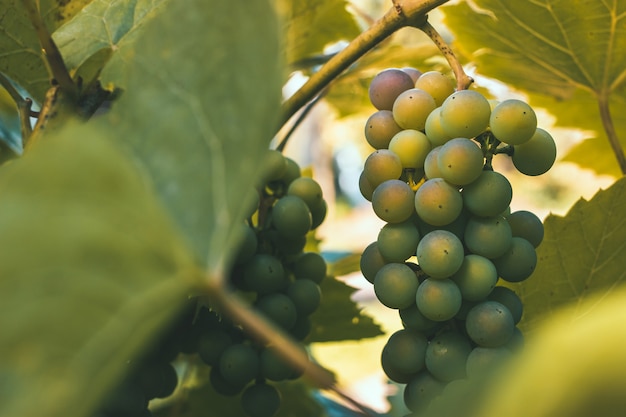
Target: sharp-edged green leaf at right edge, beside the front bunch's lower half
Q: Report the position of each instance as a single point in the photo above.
(582, 255)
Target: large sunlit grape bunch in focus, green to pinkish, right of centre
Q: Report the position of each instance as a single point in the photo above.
(450, 240)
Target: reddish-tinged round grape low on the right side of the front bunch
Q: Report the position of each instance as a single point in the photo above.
(489, 324)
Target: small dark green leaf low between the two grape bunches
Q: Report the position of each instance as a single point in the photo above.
(338, 318)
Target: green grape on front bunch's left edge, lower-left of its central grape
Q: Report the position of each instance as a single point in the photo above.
(395, 285)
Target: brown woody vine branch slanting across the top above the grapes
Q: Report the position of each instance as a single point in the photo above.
(403, 13)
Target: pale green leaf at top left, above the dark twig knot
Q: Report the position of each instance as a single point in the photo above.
(105, 25)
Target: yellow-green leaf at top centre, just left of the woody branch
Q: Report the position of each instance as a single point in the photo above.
(311, 25)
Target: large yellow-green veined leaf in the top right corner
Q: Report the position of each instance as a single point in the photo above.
(574, 51)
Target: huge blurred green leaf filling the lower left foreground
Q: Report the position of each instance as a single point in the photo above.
(91, 269)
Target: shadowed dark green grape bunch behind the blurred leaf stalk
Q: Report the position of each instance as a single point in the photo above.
(273, 271)
